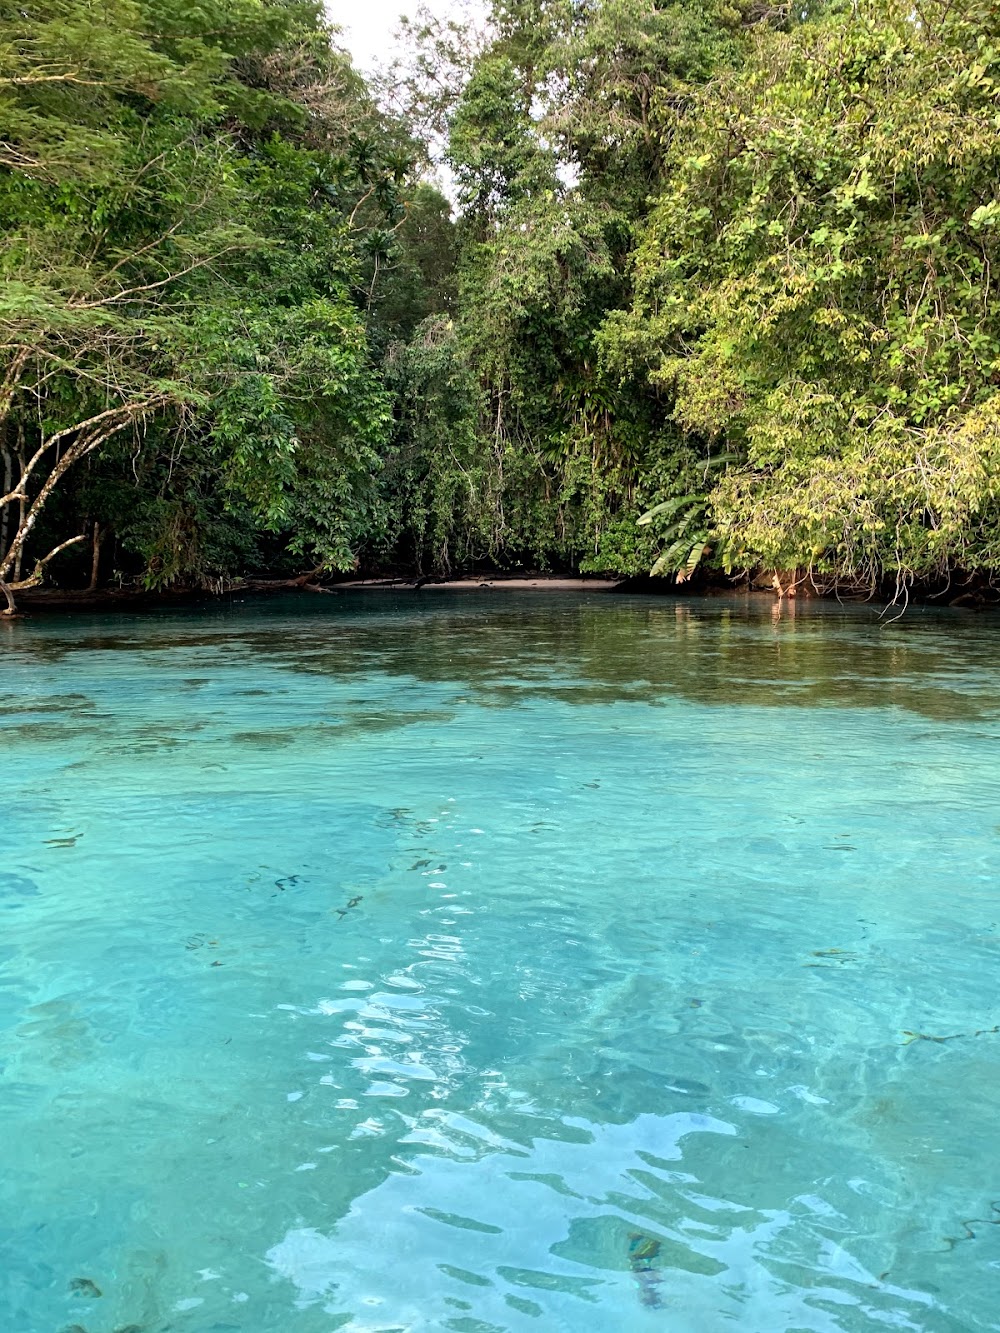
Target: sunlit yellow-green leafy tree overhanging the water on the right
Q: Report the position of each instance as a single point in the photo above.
(815, 290)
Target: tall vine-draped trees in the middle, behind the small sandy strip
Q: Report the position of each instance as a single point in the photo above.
(557, 141)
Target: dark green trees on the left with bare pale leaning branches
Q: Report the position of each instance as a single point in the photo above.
(181, 194)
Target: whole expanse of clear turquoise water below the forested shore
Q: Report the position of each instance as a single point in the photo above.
(485, 963)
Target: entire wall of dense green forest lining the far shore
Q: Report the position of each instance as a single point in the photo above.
(717, 294)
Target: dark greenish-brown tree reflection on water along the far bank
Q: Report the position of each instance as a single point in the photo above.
(590, 650)
